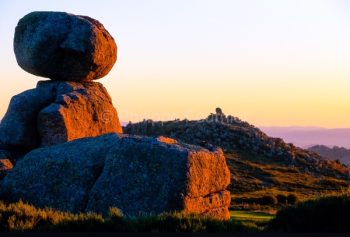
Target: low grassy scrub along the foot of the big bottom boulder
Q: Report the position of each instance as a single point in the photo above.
(23, 217)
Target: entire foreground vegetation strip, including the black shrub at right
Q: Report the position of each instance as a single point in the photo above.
(326, 214)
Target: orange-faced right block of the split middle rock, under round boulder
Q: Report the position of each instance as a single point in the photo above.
(80, 110)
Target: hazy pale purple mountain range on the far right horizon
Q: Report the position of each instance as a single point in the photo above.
(306, 137)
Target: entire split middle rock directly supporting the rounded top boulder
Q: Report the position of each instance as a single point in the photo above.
(56, 112)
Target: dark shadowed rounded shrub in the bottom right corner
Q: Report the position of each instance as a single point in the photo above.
(327, 214)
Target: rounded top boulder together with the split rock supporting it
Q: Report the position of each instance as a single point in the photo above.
(72, 51)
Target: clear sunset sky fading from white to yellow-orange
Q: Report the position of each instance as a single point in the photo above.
(271, 62)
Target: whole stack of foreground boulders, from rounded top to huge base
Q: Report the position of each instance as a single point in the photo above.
(101, 168)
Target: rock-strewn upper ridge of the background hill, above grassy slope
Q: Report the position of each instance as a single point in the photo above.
(232, 134)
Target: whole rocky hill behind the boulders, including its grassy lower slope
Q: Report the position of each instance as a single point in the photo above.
(260, 165)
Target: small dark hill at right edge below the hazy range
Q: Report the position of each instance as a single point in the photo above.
(335, 153)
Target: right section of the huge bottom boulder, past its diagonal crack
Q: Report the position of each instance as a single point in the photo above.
(145, 175)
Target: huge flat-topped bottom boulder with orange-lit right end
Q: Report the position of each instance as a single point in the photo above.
(136, 174)
